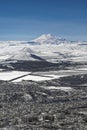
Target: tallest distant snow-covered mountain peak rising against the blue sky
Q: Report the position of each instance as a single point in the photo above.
(48, 39)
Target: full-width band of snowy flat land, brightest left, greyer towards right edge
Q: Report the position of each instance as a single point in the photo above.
(18, 76)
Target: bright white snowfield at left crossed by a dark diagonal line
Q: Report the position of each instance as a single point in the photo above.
(9, 75)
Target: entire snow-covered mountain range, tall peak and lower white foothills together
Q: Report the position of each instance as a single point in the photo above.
(46, 47)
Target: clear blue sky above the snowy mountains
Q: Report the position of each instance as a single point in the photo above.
(27, 19)
